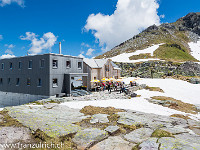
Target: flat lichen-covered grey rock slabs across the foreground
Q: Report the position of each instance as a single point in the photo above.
(60, 121)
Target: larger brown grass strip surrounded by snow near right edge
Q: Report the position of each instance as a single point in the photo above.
(178, 105)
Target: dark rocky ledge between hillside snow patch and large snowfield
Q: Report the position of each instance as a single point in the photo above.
(159, 69)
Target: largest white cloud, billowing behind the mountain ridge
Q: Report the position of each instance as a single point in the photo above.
(129, 18)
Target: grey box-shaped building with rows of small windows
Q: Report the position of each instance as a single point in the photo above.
(47, 74)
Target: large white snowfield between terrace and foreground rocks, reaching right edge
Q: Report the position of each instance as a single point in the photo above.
(177, 89)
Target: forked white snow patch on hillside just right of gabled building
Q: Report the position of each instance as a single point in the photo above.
(125, 56)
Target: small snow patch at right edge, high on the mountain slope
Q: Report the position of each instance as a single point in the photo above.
(195, 49)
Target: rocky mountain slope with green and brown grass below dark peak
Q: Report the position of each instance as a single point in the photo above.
(175, 37)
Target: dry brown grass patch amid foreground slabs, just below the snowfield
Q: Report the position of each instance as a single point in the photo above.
(91, 110)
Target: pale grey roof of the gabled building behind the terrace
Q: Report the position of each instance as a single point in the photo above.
(98, 63)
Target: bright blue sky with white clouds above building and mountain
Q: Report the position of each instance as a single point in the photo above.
(52, 21)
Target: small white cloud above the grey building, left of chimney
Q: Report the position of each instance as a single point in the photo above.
(46, 42)
